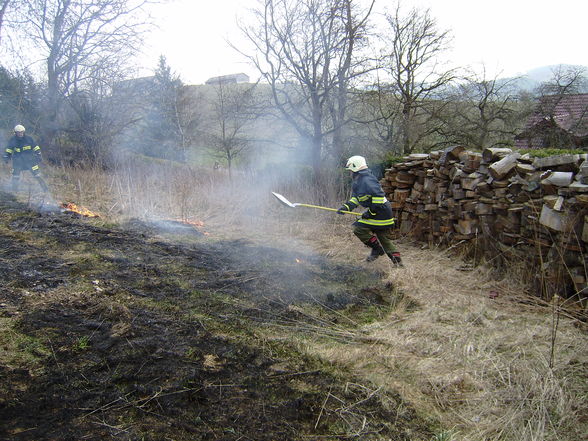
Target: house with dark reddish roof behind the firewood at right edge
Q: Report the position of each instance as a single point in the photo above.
(560, 121)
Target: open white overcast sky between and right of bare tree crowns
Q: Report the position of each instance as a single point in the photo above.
(510, 37)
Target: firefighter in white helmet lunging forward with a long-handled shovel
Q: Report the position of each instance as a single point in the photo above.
(375, 225)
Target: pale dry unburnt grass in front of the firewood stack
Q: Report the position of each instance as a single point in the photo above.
(473, 355)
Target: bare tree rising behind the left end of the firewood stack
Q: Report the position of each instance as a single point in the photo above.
(412, 45)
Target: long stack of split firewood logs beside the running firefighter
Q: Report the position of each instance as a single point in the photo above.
(507, 204)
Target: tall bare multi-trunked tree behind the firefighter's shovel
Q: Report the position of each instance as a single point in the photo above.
(308, 54)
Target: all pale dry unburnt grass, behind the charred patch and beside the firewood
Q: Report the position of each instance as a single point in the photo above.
(471, 354)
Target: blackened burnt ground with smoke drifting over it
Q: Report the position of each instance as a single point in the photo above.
(150, 331)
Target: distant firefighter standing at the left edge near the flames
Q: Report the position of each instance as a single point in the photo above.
(25, 155)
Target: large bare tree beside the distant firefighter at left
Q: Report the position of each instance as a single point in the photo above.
(80, 39)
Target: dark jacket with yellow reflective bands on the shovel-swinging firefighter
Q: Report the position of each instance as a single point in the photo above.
(367, 192)
